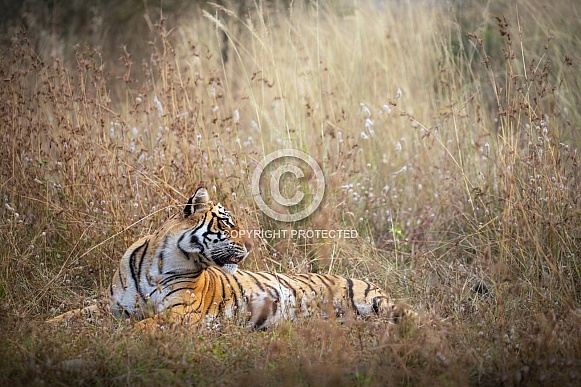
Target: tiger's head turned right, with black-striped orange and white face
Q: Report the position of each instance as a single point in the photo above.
(212, 233)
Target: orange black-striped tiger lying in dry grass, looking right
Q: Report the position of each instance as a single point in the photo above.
(187, 273)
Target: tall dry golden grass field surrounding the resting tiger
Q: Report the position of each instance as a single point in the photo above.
(448, 136)
